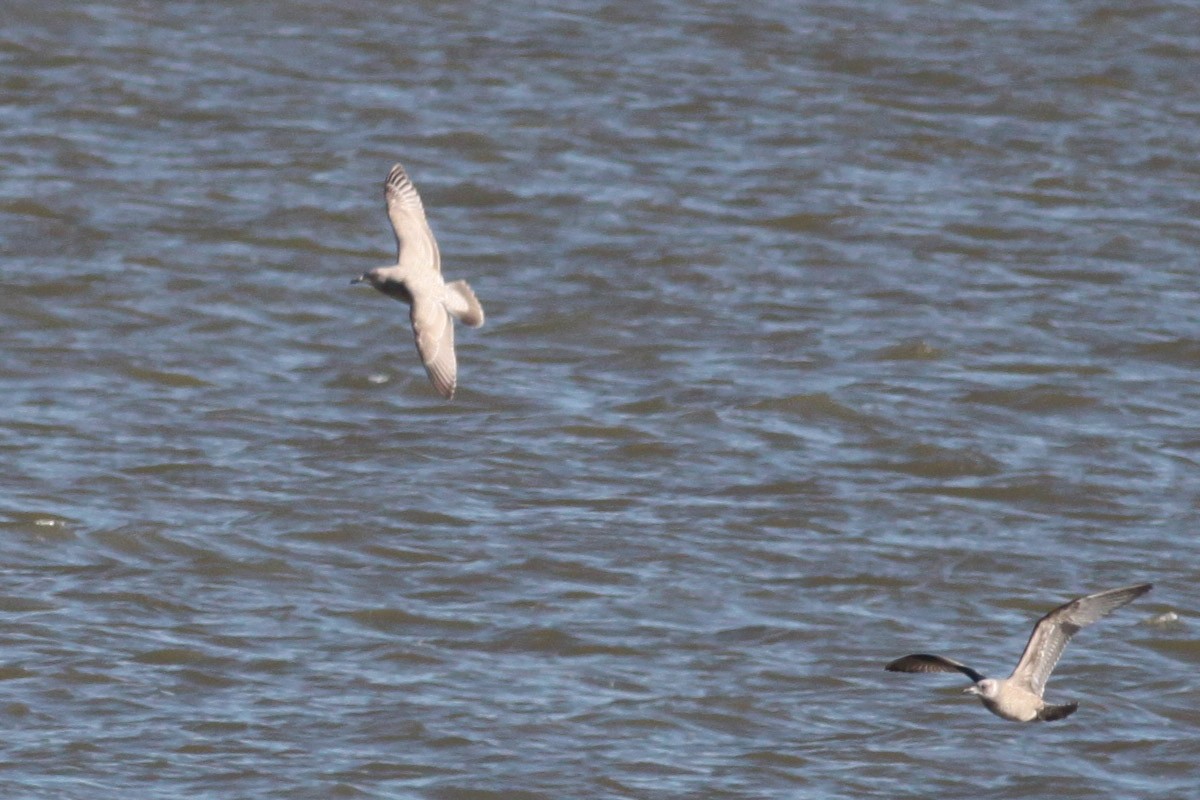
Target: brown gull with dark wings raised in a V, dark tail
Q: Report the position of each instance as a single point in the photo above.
(1019, 696)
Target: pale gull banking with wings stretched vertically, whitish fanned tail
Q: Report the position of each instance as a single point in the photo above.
(416, 279)
